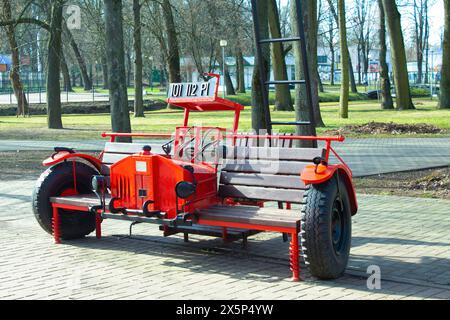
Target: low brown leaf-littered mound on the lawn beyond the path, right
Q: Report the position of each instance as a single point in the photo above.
(387, 128)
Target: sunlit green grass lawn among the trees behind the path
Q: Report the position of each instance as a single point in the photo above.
(90, 126)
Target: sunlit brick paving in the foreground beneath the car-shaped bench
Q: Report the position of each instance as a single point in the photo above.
(408, 238)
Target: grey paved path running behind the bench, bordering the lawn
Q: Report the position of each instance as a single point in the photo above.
(364, 156)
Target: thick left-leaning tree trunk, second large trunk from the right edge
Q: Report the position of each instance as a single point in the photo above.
(403, 96)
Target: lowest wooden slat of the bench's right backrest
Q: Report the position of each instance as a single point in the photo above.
(257, 193)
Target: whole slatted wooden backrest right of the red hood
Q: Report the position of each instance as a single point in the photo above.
(263, 173)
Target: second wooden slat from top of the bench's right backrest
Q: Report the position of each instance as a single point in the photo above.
(265, 166)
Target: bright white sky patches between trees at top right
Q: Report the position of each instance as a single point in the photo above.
(436, 13)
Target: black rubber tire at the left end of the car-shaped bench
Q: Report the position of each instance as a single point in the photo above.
(51, 183)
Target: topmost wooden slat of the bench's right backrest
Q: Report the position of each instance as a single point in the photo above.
(265, 153)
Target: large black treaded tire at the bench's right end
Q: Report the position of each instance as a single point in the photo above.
(326, 259)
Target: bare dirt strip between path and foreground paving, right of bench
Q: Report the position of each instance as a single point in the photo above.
(431, 183)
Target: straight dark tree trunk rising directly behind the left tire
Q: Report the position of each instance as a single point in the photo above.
(54, 120)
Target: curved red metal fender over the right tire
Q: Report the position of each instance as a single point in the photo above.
(310, 176)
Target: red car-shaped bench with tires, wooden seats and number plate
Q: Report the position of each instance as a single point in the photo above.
(209, 181)
